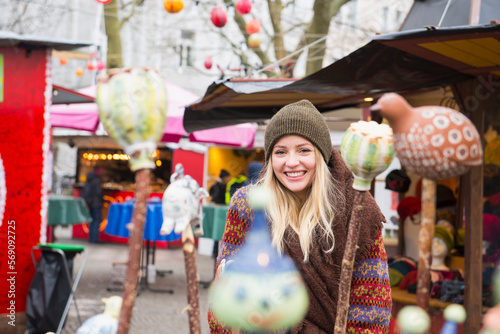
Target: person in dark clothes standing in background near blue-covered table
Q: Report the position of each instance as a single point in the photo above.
(93, 196)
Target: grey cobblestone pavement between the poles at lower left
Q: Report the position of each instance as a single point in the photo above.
(154, 312)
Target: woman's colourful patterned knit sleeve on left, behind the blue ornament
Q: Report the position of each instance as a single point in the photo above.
(238, 216)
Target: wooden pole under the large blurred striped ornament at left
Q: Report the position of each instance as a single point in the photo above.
(135, 244)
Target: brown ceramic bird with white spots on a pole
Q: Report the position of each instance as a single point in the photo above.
(432, 141)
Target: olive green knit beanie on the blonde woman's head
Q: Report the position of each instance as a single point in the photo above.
(302, 119)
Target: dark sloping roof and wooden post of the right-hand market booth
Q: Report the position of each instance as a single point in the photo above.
(456, 63)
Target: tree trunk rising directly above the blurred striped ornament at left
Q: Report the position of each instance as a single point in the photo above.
(113, 27)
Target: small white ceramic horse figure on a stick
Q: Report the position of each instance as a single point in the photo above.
(181, 204)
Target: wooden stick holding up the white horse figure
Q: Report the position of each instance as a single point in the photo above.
(192, 280)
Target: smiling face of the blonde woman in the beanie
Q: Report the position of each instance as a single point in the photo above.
(294, 163)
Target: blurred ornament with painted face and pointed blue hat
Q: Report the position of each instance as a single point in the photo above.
(260, 291)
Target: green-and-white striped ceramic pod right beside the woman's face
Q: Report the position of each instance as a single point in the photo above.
(367, 150)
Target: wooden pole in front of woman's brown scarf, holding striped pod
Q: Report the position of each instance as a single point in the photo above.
(348, 263)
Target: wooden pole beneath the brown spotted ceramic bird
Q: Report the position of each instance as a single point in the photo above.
(425, 241)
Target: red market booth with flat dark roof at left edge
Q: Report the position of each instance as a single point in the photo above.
(25, 98)
